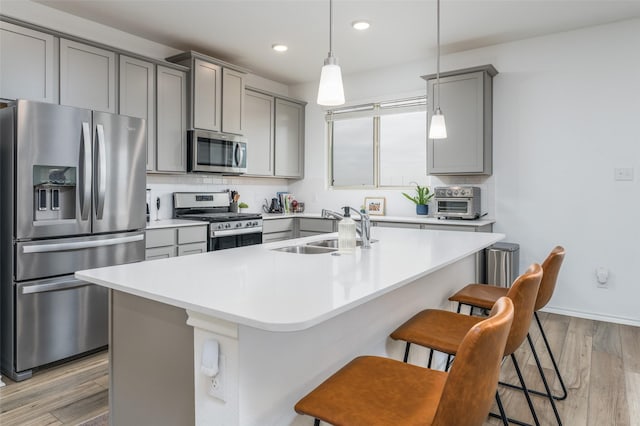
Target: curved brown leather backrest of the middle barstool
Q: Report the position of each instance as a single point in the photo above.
(523, 293)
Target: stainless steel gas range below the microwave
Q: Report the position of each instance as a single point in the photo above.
(227, 229)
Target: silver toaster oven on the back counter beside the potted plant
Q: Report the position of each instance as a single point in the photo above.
(457, 202)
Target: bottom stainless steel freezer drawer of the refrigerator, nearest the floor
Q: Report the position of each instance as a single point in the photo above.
(57, 319)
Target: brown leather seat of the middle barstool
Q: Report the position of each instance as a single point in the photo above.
(436, 329)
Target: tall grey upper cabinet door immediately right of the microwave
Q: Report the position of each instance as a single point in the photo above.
(259, 124)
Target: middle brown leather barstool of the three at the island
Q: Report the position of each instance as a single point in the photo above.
(443, 330)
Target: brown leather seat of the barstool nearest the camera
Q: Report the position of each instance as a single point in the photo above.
(401, 394)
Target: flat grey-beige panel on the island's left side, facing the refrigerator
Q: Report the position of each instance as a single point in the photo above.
(151, 363)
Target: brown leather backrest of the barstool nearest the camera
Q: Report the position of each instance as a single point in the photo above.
(471, 385)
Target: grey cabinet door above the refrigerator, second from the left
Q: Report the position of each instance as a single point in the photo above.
(87, 77)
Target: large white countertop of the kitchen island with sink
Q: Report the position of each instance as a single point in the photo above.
(278, 291)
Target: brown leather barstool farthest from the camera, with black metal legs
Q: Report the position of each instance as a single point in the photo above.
(484, 296)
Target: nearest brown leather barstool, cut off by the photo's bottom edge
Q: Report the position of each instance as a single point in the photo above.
(380, 391)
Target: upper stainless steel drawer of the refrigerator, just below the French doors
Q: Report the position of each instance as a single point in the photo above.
(61, 256)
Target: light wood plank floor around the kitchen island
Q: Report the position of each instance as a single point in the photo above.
(600, 364)
